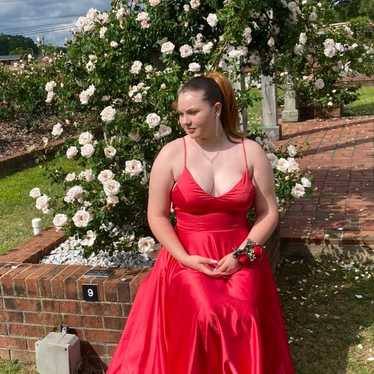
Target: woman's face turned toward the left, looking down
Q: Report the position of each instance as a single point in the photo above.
(196, 115)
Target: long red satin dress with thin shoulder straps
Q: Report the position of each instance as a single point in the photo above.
(185, 322)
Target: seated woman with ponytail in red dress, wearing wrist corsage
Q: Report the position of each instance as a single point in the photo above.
(209, 304)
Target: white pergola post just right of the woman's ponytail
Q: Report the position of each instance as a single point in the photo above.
(269, 107)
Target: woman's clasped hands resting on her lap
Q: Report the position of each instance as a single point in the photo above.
(226, 266)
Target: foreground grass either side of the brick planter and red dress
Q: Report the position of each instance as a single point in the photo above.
(328, 307)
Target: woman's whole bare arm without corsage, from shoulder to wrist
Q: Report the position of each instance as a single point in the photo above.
(160, 183)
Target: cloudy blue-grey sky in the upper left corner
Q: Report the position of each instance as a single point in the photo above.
(51, 19)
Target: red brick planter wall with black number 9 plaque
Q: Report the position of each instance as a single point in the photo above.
(36, 299)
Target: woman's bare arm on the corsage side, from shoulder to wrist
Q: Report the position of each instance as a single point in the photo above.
(266, 208)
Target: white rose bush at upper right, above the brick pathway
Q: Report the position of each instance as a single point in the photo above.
(323, 54)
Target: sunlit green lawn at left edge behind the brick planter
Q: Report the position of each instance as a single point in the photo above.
(17, 208)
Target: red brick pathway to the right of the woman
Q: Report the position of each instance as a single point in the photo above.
(341, 159)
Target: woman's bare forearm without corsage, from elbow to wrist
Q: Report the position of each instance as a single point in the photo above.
(164, 232)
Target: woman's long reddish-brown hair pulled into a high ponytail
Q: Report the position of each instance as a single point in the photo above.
(217, 88)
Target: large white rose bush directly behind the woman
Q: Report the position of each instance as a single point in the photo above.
(142, 55)
